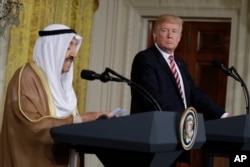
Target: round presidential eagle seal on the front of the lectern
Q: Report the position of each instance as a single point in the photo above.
(188, 128)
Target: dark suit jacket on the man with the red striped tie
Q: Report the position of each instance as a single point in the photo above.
(151, 71)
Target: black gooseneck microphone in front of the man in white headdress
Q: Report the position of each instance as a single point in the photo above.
(105, 77)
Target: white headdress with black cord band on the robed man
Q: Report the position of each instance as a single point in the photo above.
(49, 54)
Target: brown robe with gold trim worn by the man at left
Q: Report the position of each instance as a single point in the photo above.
(29, 114)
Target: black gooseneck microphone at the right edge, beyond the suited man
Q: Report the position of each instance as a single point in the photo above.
(234, 74)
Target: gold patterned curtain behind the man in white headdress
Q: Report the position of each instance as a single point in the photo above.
(36, 15)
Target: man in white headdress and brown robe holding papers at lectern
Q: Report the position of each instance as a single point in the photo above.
(40, 96)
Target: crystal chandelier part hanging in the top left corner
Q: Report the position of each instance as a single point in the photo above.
(9, 14)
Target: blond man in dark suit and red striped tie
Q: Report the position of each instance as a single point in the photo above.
(152, 70)
